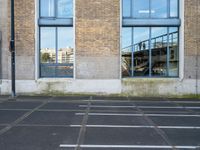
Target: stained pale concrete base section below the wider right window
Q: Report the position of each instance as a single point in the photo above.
(159, 87)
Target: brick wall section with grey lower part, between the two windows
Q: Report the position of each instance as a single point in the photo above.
(97, 39)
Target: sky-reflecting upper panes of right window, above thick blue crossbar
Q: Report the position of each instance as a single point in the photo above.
(150, 8)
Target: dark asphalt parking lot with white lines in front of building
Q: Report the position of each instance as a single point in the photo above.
(50, 123)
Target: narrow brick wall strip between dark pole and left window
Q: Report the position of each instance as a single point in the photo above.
(25, 38)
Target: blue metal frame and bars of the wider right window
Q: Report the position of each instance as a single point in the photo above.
(131, 22)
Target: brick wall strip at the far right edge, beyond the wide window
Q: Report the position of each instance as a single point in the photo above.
(192, 39)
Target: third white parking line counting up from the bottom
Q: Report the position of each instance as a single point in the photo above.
(150, 115)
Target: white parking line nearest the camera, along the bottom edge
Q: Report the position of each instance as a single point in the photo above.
(129, 146)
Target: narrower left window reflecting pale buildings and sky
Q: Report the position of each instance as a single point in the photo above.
(56, 38)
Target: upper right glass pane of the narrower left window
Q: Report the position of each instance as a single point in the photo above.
(65, 9)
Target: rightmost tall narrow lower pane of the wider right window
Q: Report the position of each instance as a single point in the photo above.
(173, 52)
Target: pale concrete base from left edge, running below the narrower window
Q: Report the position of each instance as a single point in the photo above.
(63, 86)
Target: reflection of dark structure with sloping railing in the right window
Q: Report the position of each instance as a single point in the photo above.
(135, 58)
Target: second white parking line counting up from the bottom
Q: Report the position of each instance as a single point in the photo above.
(128, 126)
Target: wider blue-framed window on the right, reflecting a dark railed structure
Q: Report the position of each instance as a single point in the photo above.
(150, 47)
